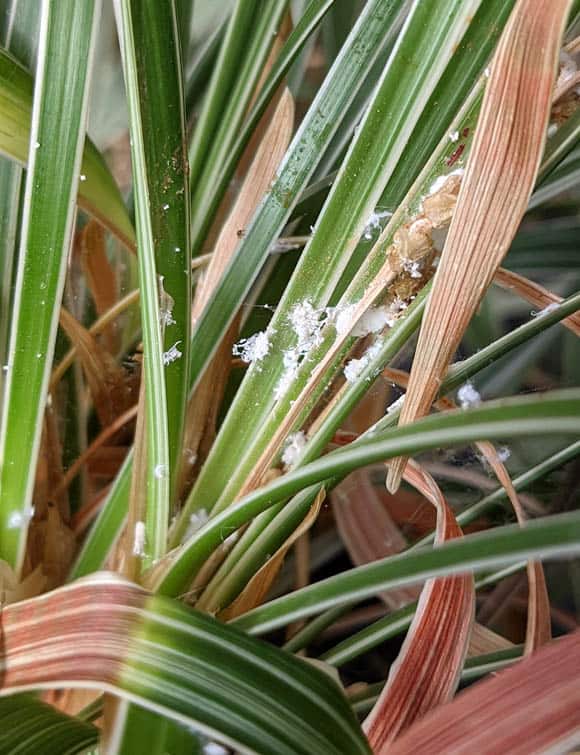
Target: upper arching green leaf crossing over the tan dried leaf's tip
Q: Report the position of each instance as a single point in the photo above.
(555, 412)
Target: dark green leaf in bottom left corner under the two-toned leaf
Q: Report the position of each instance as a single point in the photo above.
(29, 726)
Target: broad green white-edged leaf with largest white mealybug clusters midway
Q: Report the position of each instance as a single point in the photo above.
(434, 28)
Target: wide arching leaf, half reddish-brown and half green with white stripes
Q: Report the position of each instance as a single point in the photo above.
(181, 664)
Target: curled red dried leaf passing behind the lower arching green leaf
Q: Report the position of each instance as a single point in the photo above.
(426, 672)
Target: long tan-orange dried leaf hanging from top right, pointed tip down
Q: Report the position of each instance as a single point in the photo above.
(494, 194)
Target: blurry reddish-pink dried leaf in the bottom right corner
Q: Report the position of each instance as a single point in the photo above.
(533, 707)
